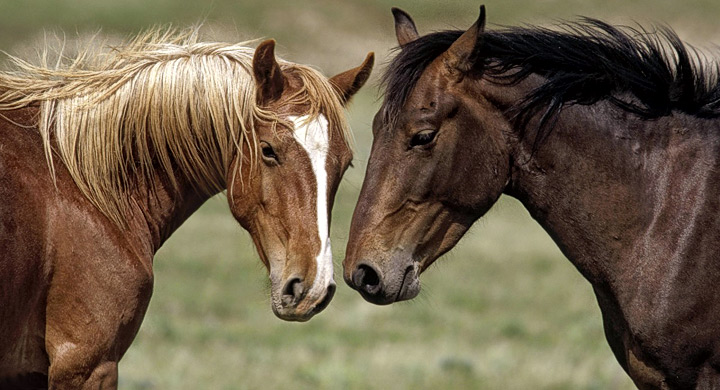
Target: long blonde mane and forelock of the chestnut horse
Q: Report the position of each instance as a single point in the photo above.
(164, 101)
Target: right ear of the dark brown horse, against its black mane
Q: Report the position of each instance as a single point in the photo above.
(464, 52)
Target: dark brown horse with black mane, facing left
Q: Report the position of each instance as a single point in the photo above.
(608, 136)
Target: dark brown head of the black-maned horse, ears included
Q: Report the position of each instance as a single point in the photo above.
(435, 140)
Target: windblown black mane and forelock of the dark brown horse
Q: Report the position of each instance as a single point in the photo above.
(582, 63)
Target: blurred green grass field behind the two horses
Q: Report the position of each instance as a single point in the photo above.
(504, 310)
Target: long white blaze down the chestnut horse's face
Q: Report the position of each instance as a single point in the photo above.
(314, 138)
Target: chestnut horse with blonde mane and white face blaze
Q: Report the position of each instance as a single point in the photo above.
(101, 160)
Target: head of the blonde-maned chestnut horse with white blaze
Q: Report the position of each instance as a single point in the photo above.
(281, 188)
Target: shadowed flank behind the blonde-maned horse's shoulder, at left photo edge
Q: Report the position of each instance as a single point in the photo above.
(24, 271)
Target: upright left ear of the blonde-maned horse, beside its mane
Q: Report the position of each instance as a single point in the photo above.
(268, 76)
